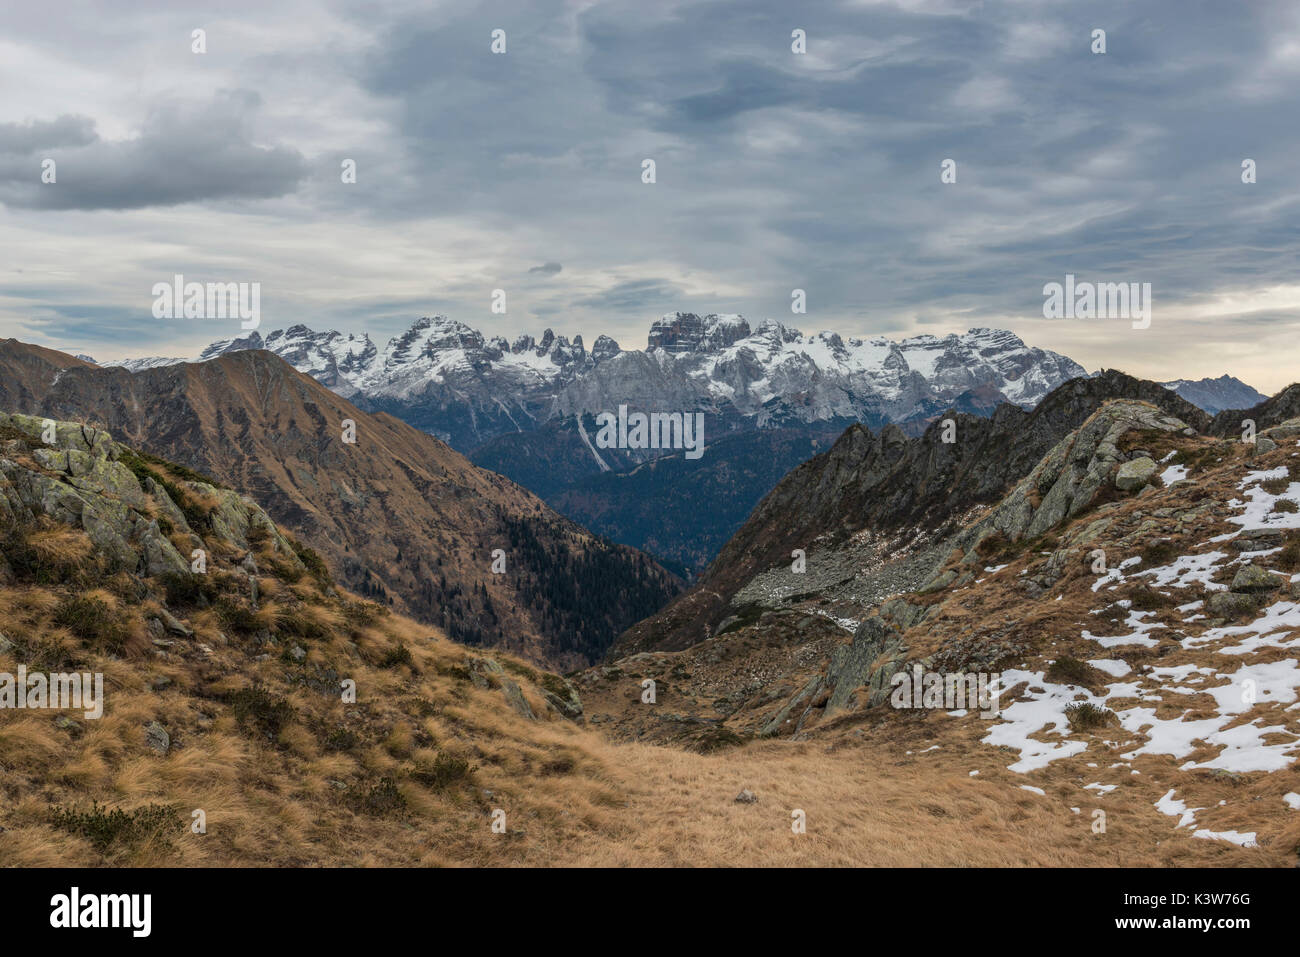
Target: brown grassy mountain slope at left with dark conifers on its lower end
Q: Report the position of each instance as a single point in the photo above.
(397, 514)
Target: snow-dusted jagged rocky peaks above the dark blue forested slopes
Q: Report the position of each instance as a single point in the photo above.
(453, 382)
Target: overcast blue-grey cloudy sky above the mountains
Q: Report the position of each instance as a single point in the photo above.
(774, 171)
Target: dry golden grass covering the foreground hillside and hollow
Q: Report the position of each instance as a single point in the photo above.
(378, 783)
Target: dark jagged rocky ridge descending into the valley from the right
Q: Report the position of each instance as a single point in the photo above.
(879, 484)
